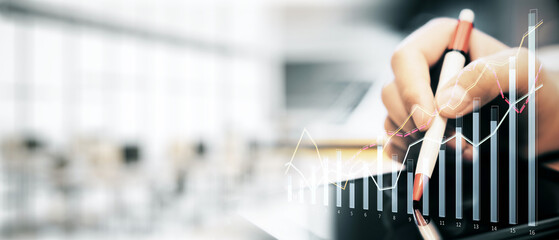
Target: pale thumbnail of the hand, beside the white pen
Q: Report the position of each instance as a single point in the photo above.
(453, 99)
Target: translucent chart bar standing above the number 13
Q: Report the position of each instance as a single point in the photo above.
(475, 161)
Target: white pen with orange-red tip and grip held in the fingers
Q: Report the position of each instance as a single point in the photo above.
(453, 62)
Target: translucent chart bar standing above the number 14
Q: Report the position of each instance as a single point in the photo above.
(494, 164)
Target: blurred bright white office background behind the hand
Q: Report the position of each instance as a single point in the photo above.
(158, 119)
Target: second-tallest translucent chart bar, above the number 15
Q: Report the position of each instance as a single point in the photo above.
(512, 141)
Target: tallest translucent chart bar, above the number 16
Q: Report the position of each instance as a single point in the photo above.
(532, 118)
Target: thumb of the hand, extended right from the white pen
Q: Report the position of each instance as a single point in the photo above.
(485, 78)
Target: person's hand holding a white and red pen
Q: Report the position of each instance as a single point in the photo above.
(411, 88)
